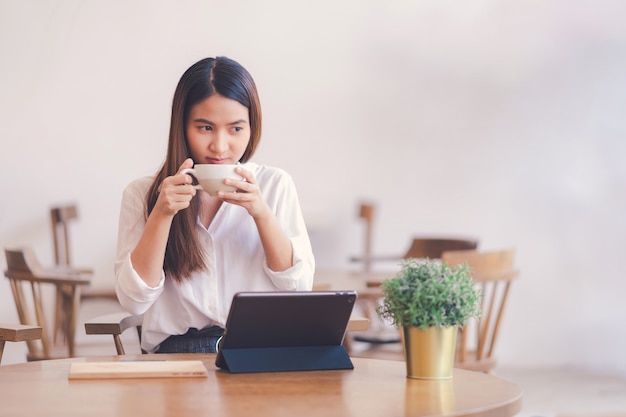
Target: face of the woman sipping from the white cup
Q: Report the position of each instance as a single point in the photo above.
(218, 130)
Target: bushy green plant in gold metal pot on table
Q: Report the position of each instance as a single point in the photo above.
(429, 301)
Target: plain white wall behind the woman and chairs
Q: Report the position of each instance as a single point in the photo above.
(501, 120)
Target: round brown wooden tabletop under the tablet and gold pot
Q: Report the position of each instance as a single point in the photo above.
(373, 388)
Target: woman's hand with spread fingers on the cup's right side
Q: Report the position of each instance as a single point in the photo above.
(248, 194)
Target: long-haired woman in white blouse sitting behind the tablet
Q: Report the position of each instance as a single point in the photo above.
(182, 254)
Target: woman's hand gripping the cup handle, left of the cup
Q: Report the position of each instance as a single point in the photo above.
(176, 192)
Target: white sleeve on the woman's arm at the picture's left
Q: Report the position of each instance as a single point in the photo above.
(132, 292)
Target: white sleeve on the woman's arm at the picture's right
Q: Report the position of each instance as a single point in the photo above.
(283, 197)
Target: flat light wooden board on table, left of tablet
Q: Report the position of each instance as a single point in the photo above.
(137, 369)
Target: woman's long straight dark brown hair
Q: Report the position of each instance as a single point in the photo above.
(206, 77)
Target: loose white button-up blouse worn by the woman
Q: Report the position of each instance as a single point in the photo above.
(235, 261)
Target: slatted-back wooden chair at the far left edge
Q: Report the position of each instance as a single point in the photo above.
(24, 273)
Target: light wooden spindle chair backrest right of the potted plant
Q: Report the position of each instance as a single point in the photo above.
(493, 271)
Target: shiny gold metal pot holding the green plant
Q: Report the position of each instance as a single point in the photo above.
(430, 353)
